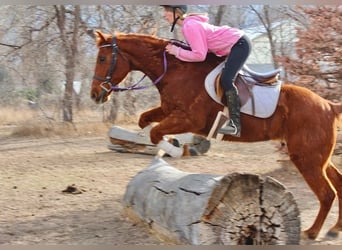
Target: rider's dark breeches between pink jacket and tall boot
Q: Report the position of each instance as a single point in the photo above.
(234, 62)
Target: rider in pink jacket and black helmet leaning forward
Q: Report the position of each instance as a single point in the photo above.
(203, 37)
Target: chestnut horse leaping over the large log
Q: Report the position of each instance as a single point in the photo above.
(307, 122)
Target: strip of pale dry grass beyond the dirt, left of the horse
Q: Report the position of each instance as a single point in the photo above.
(33, 123)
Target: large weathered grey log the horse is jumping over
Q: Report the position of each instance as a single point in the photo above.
(204, 209)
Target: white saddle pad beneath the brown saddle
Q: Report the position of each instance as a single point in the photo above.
(265, 97)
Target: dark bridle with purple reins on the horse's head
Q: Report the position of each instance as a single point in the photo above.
(108, 78)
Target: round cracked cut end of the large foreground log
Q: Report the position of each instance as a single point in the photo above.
(248, 210)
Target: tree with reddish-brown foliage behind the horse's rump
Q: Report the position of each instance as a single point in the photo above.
(318, 60)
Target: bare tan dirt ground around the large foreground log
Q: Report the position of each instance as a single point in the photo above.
(34, 172)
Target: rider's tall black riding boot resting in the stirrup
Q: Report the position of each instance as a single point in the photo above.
(233, 127)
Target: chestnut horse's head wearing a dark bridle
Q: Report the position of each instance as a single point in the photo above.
(111, 67)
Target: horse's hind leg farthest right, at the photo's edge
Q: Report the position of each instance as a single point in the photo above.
(335, 177)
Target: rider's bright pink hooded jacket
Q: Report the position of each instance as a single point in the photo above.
(204, 37)
